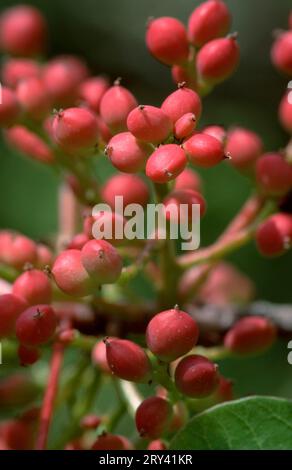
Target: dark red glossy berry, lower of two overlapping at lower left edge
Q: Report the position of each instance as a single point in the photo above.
(36, 325)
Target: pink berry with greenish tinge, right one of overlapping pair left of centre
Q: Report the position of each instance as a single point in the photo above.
(102, 261)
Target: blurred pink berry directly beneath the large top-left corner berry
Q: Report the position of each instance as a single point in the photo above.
(16, 70)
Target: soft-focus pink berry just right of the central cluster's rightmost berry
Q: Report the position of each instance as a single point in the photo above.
(244, 147)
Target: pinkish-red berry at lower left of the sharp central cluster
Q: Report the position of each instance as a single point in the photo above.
(126, 153)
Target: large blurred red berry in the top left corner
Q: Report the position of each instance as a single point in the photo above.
(22, 31)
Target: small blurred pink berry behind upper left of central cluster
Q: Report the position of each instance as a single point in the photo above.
(92, 90)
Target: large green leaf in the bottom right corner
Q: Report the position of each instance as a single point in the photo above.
(257, 423)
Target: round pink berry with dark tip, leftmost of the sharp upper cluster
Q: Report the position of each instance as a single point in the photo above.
(75, 130)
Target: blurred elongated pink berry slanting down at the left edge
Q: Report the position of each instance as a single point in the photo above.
(30, 144)
